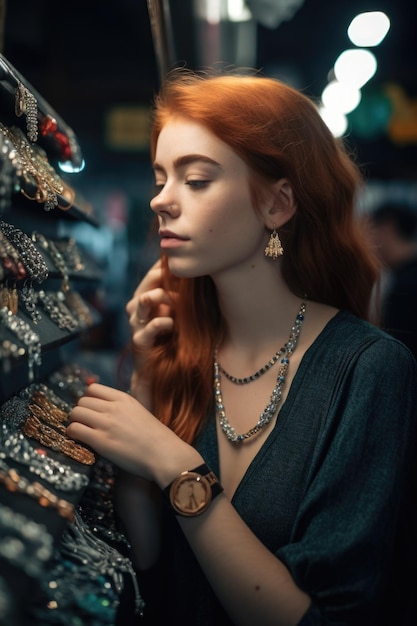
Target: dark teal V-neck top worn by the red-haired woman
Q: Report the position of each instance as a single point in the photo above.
(326, 492)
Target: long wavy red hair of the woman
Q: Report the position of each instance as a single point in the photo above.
(278, 132)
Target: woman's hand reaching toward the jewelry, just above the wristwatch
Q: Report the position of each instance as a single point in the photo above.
(120, 429)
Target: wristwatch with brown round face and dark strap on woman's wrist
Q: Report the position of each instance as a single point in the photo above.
(192, 491)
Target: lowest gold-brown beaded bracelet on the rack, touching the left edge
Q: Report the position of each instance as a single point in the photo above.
(14, 482)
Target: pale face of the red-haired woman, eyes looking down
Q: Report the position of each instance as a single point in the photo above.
(207, 223)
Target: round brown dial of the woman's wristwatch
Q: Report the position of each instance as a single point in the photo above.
(190, 494)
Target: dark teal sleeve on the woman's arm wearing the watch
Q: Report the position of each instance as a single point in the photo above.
(344, 538)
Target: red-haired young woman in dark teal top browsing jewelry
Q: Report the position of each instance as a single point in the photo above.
(268, 436)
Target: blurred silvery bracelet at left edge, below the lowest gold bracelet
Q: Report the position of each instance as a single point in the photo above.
(24, 543)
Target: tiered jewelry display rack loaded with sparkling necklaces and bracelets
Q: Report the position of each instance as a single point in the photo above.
(62, 555)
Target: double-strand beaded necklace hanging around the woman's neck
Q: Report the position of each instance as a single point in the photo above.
(272, 406)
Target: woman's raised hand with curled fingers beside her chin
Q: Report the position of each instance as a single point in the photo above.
(150, 315)
